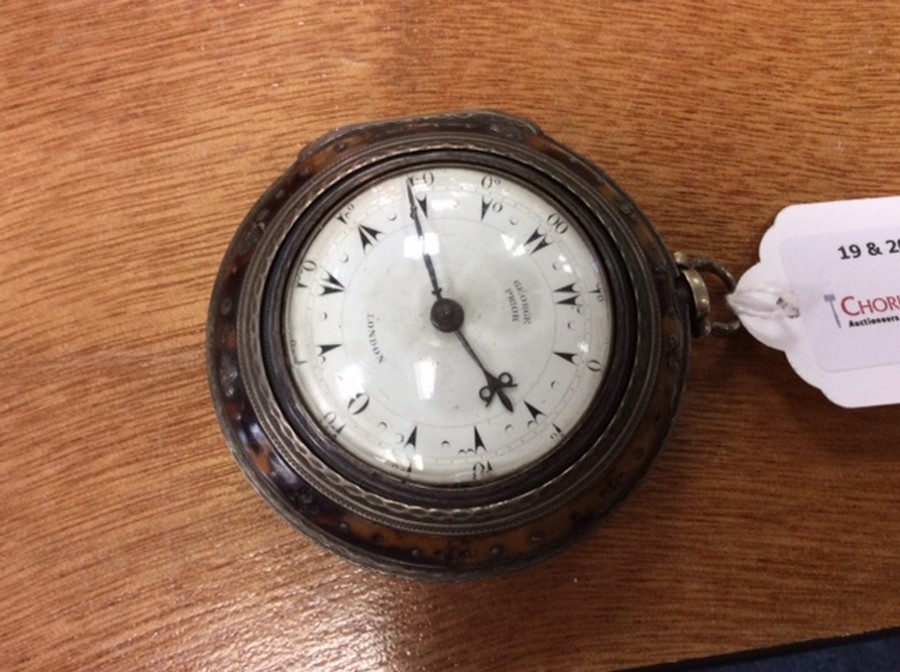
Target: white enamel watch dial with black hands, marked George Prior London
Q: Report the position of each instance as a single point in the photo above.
(481, 388)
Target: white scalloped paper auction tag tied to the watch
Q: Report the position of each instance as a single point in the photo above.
(827, 292)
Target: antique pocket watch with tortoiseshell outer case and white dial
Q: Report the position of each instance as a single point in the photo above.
(447, 347)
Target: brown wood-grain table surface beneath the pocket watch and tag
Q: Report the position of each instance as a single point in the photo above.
(136, 136)
